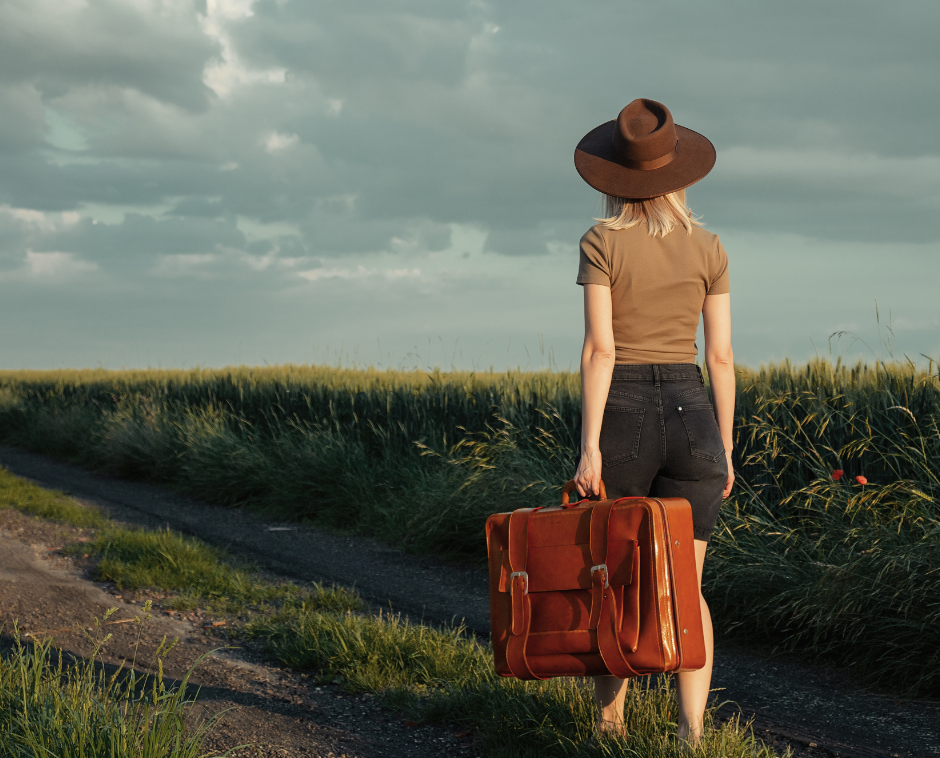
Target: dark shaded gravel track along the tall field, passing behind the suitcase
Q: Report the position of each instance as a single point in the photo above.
(814, 710)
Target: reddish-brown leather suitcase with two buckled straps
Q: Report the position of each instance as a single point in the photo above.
(594, 587)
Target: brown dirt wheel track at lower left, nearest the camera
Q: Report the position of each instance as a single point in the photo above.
(278, 711)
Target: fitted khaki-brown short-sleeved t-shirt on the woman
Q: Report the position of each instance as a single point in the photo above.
(657, 287)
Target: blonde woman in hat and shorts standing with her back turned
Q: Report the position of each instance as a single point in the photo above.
(648, 271)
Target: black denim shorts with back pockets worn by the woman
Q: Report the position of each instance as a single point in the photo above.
(660, 438)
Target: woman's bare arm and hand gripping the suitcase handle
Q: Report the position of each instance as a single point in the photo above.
(597, 366)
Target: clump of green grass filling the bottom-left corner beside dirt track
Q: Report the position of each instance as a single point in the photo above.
(75, 710)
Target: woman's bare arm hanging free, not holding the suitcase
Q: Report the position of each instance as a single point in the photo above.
(716, 315)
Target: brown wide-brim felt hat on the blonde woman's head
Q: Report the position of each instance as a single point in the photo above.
(643, 153)
